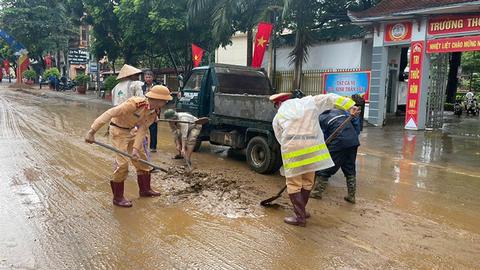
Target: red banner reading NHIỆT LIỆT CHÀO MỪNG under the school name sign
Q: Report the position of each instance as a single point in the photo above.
(462, 44)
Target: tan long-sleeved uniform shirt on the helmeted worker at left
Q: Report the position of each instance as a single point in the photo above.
(133, 113)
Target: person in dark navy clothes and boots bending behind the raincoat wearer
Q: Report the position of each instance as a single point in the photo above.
(343, 150)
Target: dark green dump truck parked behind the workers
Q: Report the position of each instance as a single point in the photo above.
(236, 100)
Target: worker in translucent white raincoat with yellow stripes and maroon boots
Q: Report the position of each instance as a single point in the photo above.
(303, 147)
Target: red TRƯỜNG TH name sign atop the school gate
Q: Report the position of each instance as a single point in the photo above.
(454, 24)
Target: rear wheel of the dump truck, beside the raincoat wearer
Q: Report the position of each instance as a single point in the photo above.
(260, 157)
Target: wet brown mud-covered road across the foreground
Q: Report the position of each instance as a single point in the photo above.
(417, 208)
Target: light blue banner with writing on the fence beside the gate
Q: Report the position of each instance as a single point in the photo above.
(347, 83)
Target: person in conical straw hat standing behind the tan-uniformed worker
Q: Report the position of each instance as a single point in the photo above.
(129, 85)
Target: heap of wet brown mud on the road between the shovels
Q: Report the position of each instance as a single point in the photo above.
(216, 193)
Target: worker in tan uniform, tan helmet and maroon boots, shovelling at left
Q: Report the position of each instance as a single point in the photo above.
(129, 124)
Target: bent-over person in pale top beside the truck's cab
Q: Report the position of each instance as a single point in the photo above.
(185, 134)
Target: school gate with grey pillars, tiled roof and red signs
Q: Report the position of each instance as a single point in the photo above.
(412, 47)
